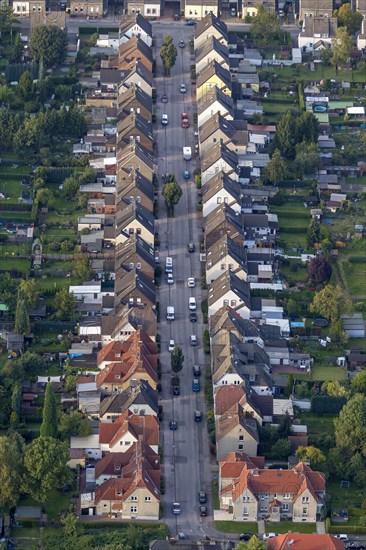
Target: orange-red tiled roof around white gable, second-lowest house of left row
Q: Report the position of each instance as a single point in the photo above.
(146, 426)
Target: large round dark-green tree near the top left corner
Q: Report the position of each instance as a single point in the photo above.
(48, 45)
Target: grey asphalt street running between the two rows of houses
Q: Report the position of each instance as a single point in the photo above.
(186, 451)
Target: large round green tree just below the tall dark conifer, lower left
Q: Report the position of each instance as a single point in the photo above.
(45, 467)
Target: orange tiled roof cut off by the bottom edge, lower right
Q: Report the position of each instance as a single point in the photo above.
(304, 542)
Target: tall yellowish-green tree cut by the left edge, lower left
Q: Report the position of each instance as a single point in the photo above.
(11, 466)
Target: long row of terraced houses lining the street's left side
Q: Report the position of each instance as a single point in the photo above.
(118, 356)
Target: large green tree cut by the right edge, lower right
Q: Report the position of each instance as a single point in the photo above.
(350, 427)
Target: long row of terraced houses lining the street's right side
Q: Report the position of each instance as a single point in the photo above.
(248, 335)
